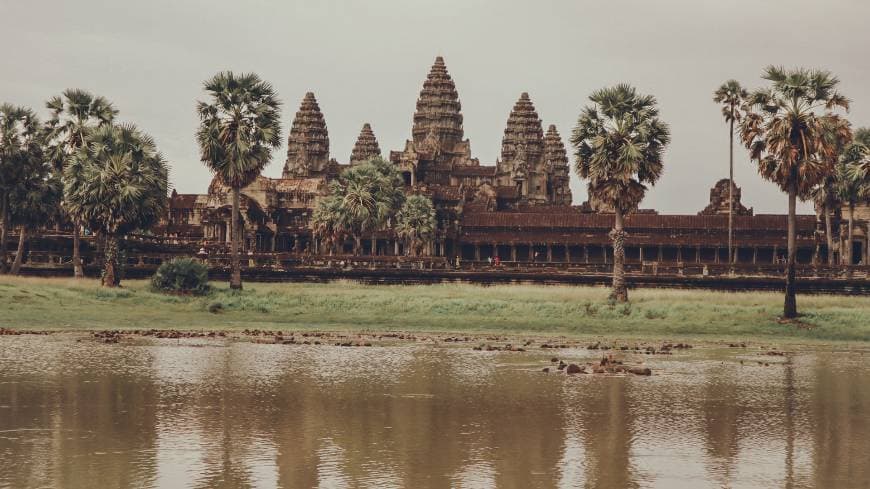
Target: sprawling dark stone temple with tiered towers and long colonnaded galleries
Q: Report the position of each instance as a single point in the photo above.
(519, 209)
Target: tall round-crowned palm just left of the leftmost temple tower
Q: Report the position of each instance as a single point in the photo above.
(239, 128)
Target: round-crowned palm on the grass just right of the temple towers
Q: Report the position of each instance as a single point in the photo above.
(619, 141)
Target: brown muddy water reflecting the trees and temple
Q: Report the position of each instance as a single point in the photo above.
(207, 413)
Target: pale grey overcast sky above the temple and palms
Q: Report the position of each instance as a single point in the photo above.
(366, 61)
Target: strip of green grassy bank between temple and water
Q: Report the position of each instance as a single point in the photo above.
(37, 303)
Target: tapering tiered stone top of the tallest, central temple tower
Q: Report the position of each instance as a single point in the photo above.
(438, 116)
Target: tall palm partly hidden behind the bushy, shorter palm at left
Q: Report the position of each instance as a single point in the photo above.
(74, 115)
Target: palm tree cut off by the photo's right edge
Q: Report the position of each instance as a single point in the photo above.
(853, 180)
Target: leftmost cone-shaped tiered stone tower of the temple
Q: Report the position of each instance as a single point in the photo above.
(308, 143)
